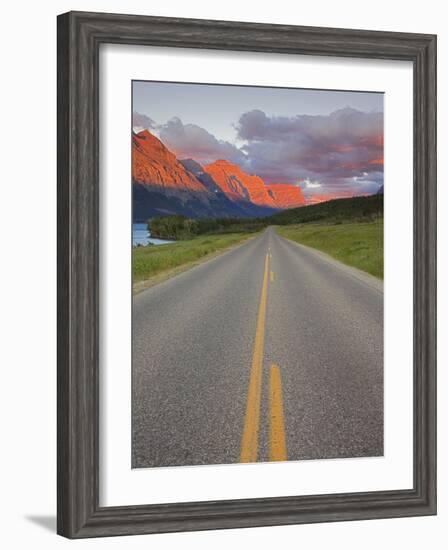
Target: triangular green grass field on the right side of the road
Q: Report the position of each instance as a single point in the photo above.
(356, 244)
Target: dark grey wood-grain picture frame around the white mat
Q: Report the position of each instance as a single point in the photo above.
(79, 38)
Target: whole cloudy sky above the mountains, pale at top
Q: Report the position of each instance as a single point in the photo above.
(328, 142)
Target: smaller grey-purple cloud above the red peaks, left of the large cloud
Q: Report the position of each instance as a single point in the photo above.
(192, 141)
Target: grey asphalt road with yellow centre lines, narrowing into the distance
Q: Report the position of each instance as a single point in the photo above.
(268, 352)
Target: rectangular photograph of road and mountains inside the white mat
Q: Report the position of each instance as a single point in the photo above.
(257, 274)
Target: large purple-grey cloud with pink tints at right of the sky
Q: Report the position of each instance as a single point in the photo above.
(332, 150)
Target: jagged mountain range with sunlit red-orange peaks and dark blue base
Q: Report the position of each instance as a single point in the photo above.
(164, 185)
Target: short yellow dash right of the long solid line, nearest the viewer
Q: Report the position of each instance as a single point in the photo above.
(277, 438)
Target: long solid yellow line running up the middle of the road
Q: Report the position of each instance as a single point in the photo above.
(249, 442)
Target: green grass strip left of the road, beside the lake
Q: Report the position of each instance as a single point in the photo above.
(148, 261)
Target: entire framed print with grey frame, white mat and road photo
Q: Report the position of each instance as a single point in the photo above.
(246, 274)
